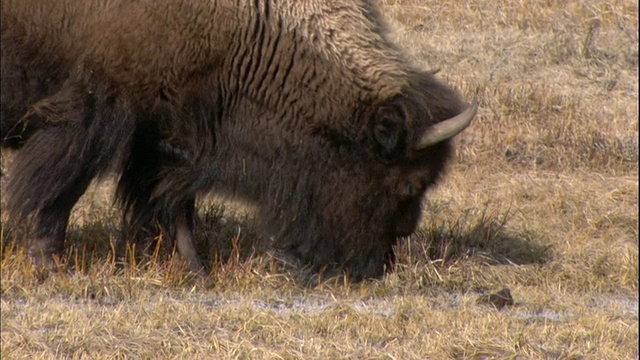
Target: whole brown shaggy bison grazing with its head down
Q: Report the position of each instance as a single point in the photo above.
(305, 108)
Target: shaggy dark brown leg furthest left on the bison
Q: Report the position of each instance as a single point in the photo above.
(81, 134)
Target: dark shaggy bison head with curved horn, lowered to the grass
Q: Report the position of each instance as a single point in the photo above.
(342, 202)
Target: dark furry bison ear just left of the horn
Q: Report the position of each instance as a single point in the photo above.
(389, 130)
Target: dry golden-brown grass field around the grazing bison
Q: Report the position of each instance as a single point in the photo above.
(542, 199)
